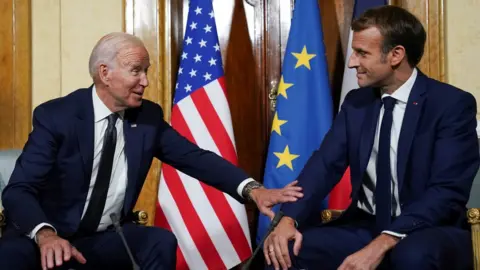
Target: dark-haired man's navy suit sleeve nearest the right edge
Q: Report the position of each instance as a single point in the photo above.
(455, 164)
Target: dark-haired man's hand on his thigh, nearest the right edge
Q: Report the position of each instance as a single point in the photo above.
(369, 257)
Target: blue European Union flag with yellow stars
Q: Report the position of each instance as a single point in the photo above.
(304, 104)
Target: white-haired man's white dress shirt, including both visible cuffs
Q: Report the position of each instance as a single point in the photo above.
(118, 180)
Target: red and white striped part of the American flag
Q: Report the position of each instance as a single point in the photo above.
(211, 227)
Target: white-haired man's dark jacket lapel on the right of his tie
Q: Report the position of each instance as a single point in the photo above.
(134, 137)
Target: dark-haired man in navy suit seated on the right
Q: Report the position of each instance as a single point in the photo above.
(412, 148)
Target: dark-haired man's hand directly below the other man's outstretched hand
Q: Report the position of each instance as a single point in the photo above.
(275, 248)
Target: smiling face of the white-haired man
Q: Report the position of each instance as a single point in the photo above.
(126, 79)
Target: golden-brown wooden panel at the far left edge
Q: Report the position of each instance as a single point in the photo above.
(15, 73)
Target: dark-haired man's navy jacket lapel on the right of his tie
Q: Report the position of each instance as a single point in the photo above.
(409, 125)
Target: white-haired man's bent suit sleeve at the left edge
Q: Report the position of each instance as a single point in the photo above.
(20, 196)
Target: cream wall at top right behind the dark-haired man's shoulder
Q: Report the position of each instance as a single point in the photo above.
(462, 45)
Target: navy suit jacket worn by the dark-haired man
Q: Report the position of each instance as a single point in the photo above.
(437, 159)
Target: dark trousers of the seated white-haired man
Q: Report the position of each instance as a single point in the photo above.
(153, 248)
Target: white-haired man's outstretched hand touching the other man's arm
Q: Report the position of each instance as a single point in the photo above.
(267, 198)
